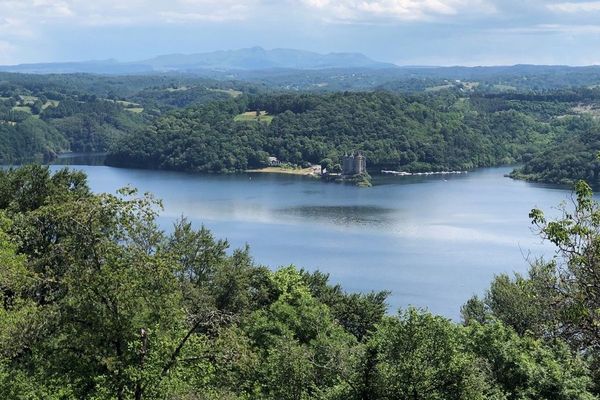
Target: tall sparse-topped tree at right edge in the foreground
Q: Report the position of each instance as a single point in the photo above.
(560, 299)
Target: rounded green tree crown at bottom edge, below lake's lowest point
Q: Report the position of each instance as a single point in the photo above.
(420, 356)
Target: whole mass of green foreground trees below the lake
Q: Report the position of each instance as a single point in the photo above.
(98, 303)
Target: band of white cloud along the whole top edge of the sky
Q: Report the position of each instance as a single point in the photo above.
(19, 13)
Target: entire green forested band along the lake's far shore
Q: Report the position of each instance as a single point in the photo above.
(190, 123)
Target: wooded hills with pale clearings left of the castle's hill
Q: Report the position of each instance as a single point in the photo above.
(44, 115)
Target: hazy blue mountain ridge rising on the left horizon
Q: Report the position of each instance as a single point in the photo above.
(252, 59)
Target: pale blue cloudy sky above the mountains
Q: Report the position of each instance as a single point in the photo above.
(404, 32)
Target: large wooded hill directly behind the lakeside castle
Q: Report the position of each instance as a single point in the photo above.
(446, 131)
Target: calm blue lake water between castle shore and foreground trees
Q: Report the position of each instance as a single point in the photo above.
(433, 241)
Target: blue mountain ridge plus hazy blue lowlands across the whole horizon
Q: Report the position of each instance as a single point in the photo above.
(299, 69)
